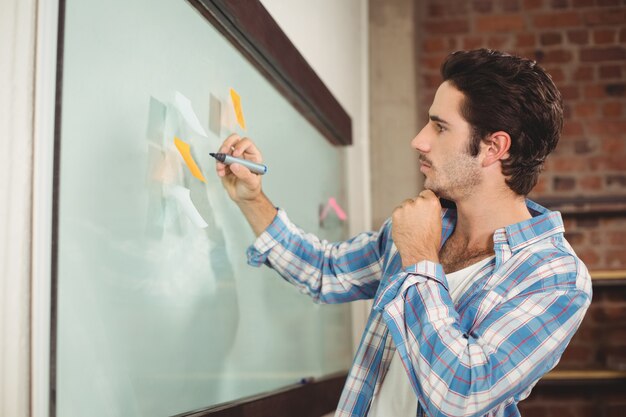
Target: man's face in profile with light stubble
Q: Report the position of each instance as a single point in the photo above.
(443, 145)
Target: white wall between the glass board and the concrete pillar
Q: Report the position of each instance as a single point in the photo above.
(333, 37)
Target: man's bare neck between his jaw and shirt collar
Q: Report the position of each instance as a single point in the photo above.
(480, 215)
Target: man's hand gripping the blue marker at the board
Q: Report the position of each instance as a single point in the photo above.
(241, 184)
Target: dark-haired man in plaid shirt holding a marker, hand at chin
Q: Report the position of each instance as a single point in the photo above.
(472, 304)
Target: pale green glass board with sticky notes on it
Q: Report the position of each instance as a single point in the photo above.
(156, 315)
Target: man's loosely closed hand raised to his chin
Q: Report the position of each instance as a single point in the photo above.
(416, 229)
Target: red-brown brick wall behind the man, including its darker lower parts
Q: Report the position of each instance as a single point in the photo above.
(582, 44)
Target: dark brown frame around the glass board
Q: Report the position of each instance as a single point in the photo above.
(250, 28)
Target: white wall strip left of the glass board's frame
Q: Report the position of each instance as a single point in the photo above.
(17, 58)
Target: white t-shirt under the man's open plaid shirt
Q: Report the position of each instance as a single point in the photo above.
(396, 397)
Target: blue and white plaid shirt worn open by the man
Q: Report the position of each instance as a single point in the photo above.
(480, 356)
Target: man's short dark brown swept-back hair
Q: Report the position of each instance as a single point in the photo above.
(510, 94)
